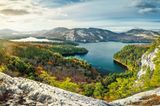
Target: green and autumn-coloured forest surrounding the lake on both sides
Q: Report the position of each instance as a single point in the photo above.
(46, 63)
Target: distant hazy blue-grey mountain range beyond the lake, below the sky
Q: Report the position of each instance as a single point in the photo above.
(85, 35)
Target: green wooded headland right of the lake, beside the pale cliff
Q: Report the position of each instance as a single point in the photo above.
(130, 55)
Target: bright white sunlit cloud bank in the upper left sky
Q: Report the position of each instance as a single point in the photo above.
(28, 15)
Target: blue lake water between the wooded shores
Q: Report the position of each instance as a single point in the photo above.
(100, 55)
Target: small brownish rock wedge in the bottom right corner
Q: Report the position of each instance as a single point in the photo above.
(148, 98)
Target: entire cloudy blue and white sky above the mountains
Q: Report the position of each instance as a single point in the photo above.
(115, 15)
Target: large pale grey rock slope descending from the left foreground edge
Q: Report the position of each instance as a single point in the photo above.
(21, 91)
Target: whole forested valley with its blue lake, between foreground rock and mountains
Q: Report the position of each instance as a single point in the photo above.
(84, 68)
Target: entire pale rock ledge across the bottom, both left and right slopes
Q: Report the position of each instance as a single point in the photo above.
(25, 92)
